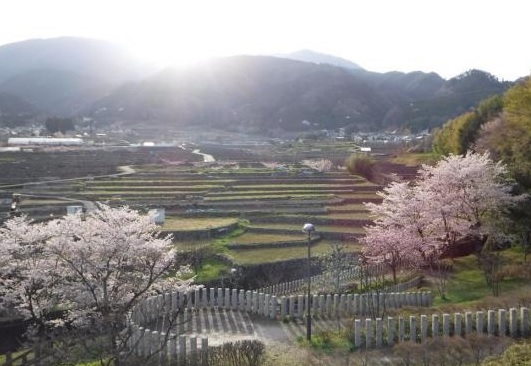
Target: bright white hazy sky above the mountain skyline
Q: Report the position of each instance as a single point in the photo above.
(445, 36)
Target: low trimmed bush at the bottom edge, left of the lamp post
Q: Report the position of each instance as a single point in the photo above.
(240, 353)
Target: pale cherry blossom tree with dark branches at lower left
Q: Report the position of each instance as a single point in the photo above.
(95, 268)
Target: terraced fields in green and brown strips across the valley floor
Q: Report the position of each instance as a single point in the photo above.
(274, 204)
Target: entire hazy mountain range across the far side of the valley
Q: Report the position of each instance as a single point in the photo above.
(73, 77)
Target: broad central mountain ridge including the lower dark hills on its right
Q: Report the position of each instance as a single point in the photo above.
(264, 94)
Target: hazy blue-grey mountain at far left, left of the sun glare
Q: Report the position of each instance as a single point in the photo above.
(63, 75)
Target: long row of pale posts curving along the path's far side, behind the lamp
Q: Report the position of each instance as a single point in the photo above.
(274, 307)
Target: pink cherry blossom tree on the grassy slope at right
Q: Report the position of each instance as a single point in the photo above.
(418, 222)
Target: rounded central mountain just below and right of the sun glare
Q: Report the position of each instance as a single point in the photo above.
(253, 94)
